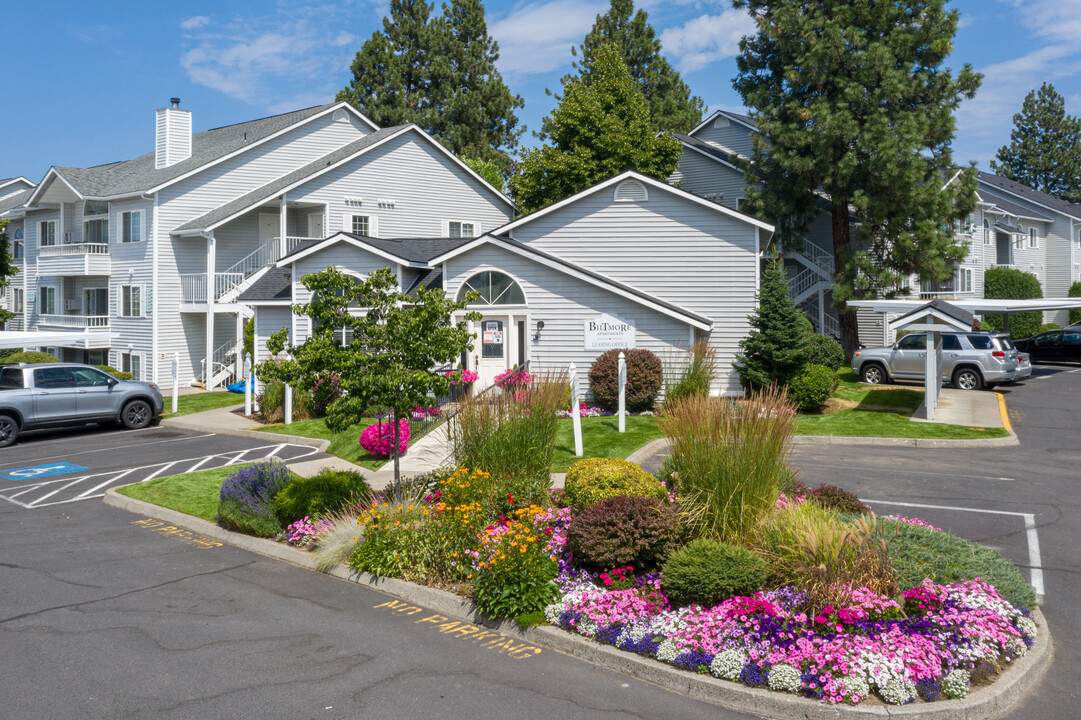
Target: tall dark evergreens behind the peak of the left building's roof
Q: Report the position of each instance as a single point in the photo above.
(438, 73)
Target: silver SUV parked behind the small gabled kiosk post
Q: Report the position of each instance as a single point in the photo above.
(970, 361)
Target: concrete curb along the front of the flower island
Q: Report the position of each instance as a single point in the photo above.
(989, 703)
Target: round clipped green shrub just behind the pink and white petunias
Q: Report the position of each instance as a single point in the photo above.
(708, 572)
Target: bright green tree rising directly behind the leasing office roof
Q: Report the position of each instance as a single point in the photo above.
(599, 130)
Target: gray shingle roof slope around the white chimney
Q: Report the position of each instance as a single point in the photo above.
(140, 175)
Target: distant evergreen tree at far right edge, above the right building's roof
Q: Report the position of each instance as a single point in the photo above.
(1045, 151)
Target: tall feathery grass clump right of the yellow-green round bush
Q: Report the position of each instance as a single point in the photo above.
(730, 458)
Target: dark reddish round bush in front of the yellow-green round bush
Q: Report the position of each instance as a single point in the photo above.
(621, 531)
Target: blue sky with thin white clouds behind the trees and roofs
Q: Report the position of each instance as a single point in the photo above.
(85, 78)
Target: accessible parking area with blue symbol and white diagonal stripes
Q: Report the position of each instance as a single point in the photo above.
(64, 466)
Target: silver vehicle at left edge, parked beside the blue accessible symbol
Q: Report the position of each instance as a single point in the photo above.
(54, 395)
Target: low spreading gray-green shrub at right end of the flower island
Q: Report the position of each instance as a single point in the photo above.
(918, 553)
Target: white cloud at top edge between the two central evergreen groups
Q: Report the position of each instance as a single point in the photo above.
(538, 37)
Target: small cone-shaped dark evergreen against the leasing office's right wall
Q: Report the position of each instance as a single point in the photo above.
(778, 346)
